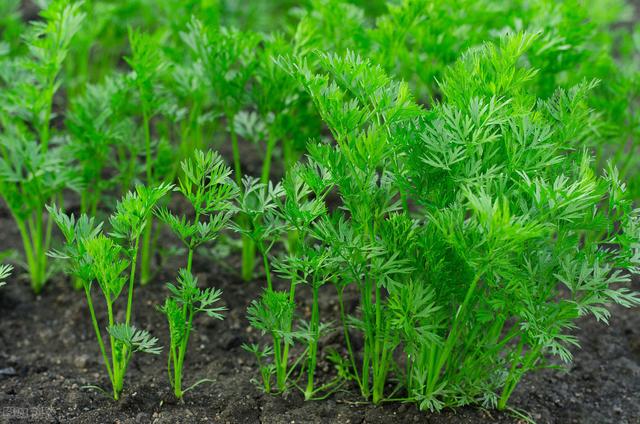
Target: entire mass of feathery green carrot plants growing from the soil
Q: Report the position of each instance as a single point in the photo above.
(476, 224)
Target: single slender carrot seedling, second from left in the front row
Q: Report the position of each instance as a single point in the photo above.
(207, 186)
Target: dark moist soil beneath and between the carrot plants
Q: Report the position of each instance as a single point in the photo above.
(48, 354)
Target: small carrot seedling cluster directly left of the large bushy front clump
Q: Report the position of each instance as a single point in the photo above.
(274, 211)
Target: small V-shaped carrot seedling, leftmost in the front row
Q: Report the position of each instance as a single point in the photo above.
(110, 261)
